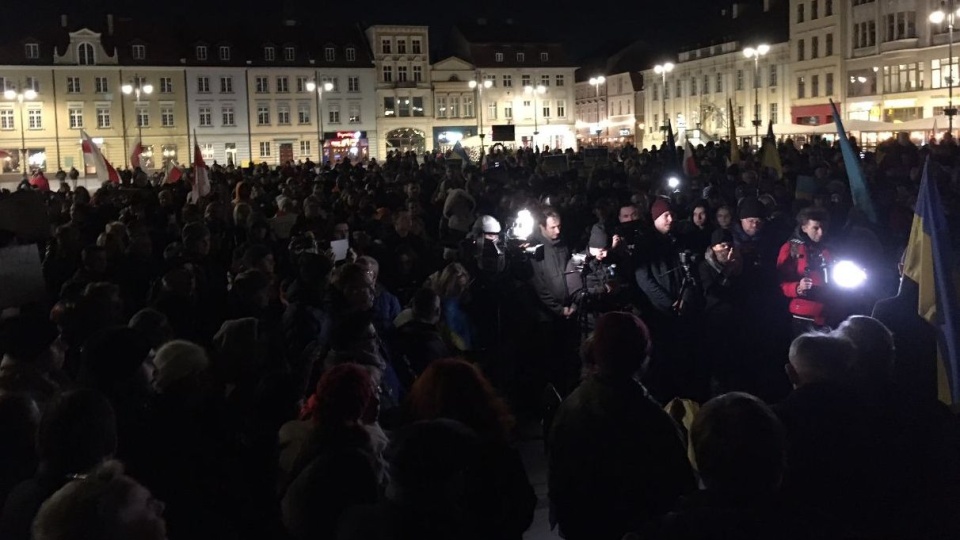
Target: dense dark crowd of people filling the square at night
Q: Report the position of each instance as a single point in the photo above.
(349, 350)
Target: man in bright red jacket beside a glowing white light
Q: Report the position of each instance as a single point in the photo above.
(802, 266)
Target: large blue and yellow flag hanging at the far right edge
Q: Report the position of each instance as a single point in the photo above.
(928, 262)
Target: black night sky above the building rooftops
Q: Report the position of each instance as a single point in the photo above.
(580, 25)
